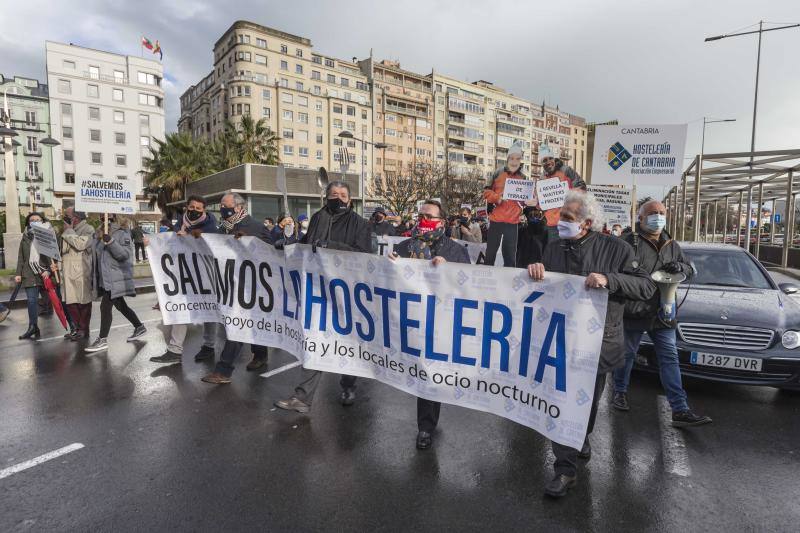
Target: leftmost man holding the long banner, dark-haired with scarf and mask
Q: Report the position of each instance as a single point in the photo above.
(195, 222)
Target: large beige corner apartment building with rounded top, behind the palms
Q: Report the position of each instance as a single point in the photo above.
(307, 98)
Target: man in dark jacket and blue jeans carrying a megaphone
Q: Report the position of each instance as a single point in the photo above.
(655, 251)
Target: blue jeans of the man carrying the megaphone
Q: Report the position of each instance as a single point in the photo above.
(668, 368)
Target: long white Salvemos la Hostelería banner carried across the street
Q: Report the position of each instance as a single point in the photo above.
(485, 338)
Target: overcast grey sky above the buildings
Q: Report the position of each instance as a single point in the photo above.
(639, 62)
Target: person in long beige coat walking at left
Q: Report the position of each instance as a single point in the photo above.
(77, 242)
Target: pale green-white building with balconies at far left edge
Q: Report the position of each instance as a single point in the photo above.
(29, 113)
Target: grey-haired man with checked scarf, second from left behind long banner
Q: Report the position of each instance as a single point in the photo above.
(236, 222)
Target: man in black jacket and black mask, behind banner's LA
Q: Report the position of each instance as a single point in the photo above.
(338, 227)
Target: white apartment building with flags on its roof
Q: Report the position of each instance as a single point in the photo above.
(105, 110)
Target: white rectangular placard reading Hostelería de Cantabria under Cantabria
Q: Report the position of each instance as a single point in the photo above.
(640, 154)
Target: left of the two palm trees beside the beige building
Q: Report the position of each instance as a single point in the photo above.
(174, 162)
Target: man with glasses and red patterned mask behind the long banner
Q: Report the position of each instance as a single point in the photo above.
(428, 241)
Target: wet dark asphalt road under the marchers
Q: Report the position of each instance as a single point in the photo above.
(164, 451)
